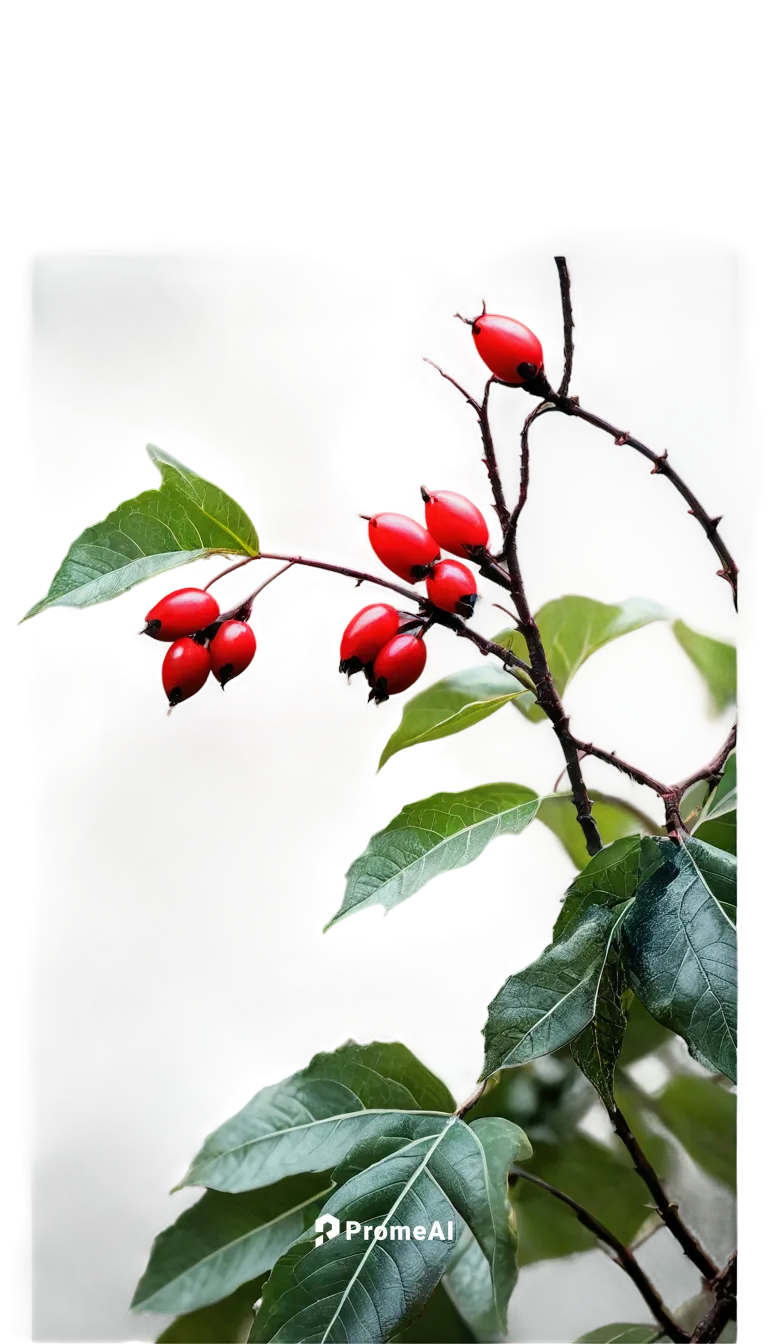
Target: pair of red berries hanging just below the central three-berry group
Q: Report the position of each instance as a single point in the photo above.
(392, 661)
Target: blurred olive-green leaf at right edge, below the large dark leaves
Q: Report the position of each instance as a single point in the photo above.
(703, 1116)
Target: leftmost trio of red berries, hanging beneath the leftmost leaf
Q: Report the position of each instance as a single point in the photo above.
(201, 643)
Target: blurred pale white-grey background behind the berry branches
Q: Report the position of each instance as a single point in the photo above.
(186, 865)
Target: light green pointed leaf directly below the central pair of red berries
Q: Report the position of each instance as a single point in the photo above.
(450, 708)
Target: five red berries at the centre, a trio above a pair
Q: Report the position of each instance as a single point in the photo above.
(393, 657)
